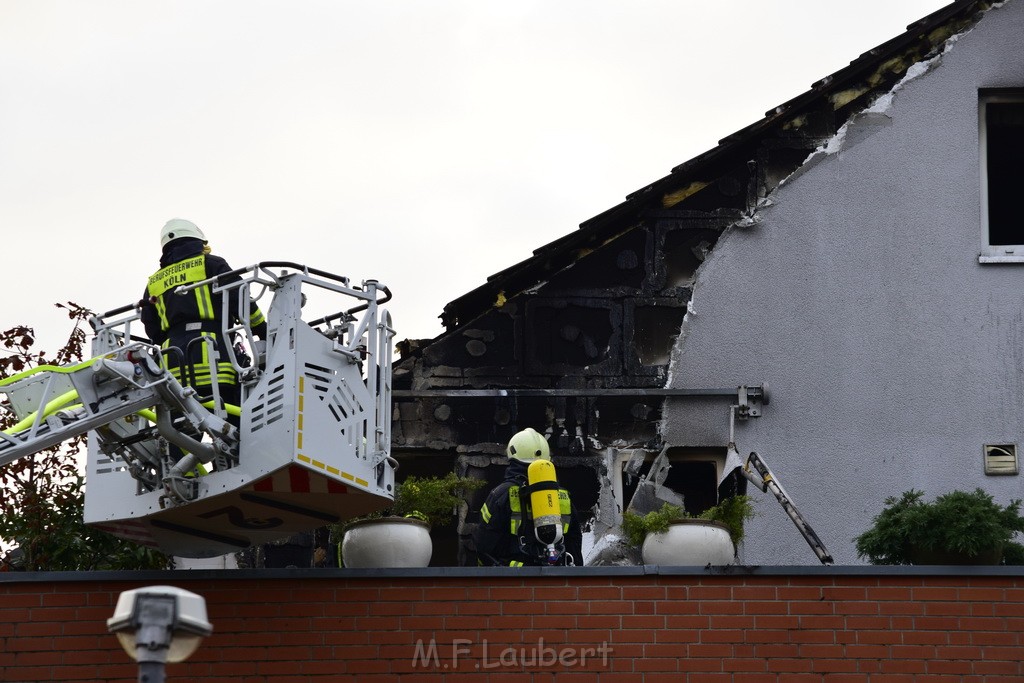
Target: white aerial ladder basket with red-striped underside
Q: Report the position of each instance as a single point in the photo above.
(313, 442)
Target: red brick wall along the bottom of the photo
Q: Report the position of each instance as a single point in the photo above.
(591, 625)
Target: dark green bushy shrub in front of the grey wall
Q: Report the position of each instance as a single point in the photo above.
(959, 528)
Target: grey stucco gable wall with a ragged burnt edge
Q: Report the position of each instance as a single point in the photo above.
(892, 355)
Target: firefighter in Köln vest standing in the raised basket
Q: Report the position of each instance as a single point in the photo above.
(182, 322)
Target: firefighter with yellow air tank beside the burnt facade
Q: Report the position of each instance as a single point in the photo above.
(529, 520)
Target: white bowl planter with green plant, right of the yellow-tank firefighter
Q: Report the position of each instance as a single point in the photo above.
(673, 537)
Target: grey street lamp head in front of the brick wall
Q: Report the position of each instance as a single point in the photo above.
(158, 625)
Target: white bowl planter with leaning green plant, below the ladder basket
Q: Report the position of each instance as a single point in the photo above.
(400, 535)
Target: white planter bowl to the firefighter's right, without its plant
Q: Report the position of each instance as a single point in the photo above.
(690, 542)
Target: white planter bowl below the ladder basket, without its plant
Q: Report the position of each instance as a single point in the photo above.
(391, 542)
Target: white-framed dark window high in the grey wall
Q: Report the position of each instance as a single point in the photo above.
(1002, 148)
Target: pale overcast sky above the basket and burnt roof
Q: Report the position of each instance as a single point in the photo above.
(425, 145)
